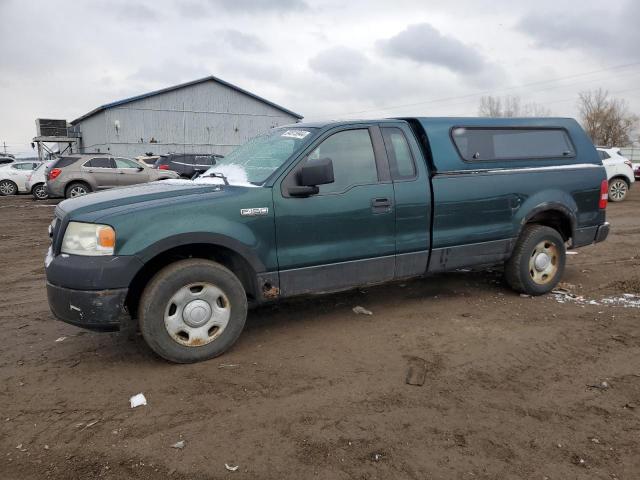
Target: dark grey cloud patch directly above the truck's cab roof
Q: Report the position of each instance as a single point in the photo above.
(423, 44)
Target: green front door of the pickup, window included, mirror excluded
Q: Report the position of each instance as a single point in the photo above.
(345, 235)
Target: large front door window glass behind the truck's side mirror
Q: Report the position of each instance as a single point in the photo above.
(354, 162)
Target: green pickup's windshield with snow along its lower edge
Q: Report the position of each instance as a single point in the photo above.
(263, 155)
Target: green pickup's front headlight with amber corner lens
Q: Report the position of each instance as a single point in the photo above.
(88, 239)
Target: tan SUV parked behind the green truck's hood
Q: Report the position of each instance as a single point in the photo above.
(77, 175)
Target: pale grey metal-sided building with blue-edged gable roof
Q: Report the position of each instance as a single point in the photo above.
(207, 115)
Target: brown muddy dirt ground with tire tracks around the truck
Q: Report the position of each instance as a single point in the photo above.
(311, 390)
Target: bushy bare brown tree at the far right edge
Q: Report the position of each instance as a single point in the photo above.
(606, 120)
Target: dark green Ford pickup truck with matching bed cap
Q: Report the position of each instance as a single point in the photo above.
(319, 207)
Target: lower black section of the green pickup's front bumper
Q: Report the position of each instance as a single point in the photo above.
(101, 310)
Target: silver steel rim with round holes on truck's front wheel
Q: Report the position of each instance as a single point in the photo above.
(197, 314)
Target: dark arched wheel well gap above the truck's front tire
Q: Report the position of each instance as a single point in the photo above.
(222, 255)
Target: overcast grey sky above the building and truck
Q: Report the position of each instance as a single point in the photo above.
(324, 59)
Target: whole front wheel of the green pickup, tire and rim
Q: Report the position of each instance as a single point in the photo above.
(192, 310)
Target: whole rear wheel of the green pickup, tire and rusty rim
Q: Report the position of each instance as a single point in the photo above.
(528, 271)
